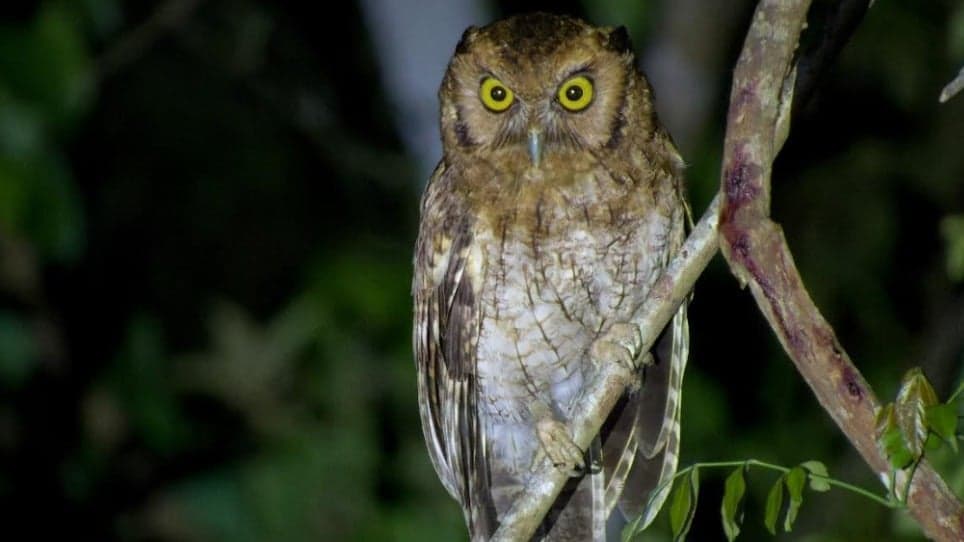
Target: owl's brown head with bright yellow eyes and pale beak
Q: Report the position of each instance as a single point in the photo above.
(540, 86)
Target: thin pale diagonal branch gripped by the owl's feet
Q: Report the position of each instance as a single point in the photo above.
(602, 393)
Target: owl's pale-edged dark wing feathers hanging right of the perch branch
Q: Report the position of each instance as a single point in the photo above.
(649, 481)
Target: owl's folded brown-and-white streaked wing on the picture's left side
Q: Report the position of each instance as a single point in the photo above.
(447, 322)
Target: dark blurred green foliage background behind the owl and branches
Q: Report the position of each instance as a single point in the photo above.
(207, 212)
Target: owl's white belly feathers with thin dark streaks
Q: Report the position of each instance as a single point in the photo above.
(544, 299)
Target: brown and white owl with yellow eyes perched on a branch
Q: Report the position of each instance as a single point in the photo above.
(557, 203)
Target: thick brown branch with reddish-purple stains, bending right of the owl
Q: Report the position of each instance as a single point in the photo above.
(758, 255)
